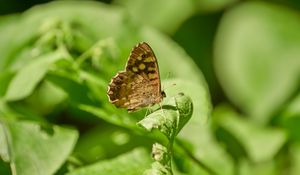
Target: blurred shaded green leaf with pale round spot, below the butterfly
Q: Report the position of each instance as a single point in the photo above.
(107, 142)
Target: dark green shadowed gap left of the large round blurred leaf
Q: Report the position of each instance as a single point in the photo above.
(200, 46)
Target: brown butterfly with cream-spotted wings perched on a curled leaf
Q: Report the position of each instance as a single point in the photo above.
(139, 84)
